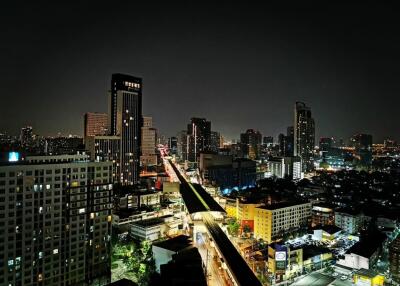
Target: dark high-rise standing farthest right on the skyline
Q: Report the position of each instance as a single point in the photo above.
(362, 144)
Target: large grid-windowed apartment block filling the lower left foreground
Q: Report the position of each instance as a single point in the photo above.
(55, 221)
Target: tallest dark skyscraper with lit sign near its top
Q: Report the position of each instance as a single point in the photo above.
(125, 117)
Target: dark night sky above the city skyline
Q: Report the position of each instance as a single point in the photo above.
(239, 66)
